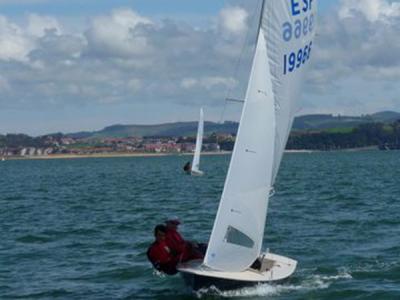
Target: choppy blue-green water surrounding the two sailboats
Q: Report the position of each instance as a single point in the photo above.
(79, 229)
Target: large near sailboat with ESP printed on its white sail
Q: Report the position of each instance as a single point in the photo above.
(234, 256)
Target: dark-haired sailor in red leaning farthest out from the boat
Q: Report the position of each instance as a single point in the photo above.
(160, 254)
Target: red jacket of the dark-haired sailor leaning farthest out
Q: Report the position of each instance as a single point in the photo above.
(161, 257)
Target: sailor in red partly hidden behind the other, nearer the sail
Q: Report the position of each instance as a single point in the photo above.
(186, 250)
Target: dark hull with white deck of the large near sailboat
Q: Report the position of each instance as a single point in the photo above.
(274, 268)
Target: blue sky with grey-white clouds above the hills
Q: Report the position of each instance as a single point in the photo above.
(78, 65)
